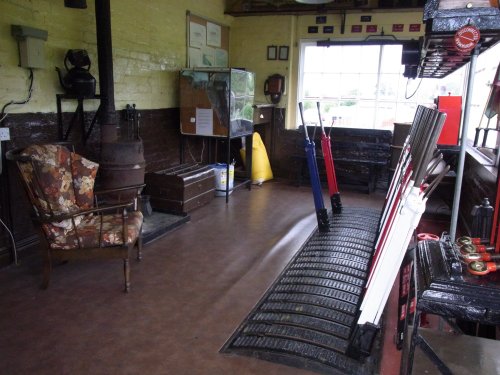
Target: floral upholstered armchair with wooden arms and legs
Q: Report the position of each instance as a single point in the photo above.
(73, 221)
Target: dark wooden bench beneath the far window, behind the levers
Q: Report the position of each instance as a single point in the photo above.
(359, 156)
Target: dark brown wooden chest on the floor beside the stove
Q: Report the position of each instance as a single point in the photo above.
(180, 189)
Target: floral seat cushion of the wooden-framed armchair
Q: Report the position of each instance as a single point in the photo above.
(89, 230)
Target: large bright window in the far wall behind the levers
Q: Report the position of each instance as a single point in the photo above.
(362, 86)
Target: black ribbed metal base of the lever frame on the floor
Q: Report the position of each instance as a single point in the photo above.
(306, 318)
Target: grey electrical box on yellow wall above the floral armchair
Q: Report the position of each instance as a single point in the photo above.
(31, 46)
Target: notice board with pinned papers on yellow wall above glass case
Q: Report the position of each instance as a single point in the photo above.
(207, 43)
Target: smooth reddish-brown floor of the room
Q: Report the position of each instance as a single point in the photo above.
(191, 291)
